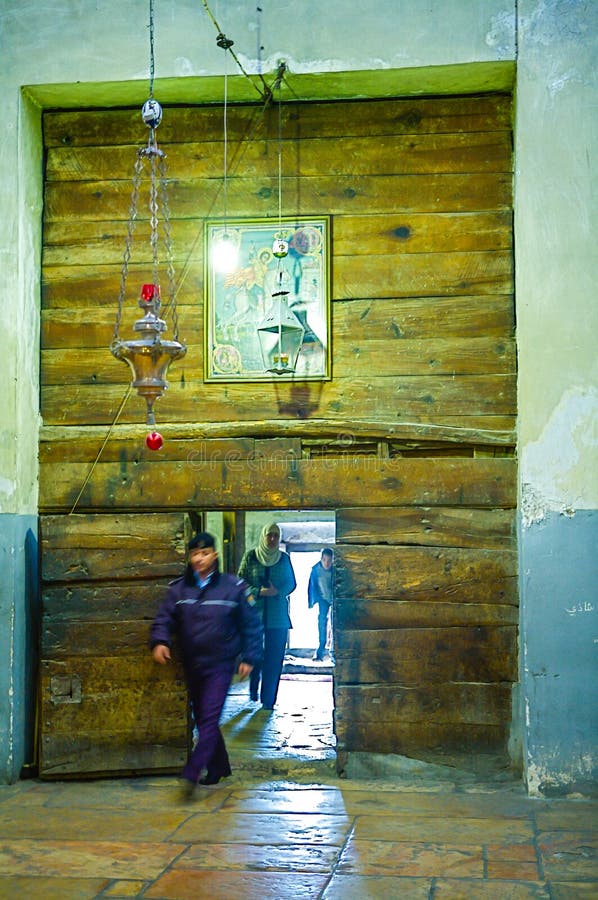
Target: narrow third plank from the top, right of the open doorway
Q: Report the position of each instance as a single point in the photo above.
(359, 613)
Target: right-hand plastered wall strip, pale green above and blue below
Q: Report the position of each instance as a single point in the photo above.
(557, 327)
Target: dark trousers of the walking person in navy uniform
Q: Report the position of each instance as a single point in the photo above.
(207, 690)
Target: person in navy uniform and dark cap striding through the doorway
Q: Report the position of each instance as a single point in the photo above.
(218, 631)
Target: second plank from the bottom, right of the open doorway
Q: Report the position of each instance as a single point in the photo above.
(382, 704)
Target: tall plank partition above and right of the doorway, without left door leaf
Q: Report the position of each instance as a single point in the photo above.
(412, 440)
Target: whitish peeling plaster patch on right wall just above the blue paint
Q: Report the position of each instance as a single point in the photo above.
(559, 470)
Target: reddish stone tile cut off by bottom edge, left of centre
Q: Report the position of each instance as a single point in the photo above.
(182, 884)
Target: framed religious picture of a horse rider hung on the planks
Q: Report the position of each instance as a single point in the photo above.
(267, 299)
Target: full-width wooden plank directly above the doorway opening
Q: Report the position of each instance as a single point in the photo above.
(275, 484)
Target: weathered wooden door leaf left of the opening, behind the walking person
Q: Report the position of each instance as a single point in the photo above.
(105, 706)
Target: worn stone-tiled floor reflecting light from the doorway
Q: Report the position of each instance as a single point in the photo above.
(286, 827)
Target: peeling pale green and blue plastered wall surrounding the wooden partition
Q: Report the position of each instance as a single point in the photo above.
(71, 54)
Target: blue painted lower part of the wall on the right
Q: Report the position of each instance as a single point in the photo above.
(559, 650)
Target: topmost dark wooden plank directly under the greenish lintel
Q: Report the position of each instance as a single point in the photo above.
(411, 115)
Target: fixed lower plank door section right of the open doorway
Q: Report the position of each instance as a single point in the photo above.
(426, 612)
